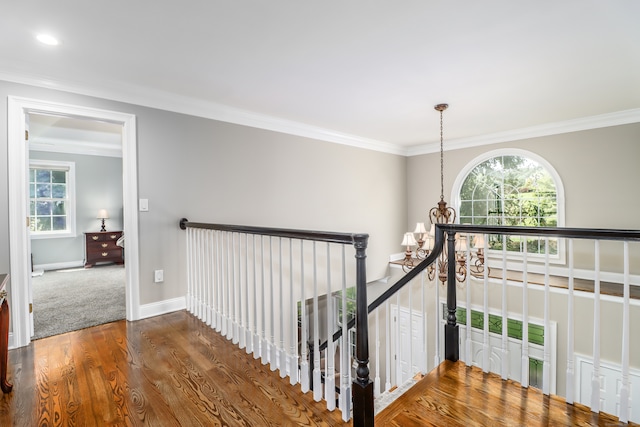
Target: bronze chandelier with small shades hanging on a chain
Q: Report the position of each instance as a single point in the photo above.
(442, 214)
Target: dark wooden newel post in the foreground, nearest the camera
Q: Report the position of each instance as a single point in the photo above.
(362, 391)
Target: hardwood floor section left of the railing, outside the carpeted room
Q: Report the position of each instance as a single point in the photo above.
(169, 370)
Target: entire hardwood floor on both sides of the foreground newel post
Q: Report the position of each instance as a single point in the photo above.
(173, 370)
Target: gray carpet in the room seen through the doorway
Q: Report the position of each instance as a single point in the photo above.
(68, 300)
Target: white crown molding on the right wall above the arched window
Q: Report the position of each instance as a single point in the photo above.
(556, 128)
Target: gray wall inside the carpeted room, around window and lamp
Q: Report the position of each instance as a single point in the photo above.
(98, 186)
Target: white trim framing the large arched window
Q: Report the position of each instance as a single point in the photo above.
(560, 258)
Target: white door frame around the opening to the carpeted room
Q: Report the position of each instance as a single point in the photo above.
(20, 272)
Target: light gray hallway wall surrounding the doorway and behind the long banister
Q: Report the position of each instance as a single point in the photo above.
(211, 171)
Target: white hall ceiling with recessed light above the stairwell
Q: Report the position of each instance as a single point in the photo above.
(361, 72)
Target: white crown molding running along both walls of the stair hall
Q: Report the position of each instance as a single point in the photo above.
(185, 105)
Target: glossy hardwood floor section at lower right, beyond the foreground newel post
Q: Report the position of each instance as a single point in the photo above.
(455, 395)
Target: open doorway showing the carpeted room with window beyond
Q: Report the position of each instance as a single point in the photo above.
(75, 176)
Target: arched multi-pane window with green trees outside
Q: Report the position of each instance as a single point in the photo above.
(511, 188)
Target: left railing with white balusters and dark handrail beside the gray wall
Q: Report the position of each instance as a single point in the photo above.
(271, 292)
